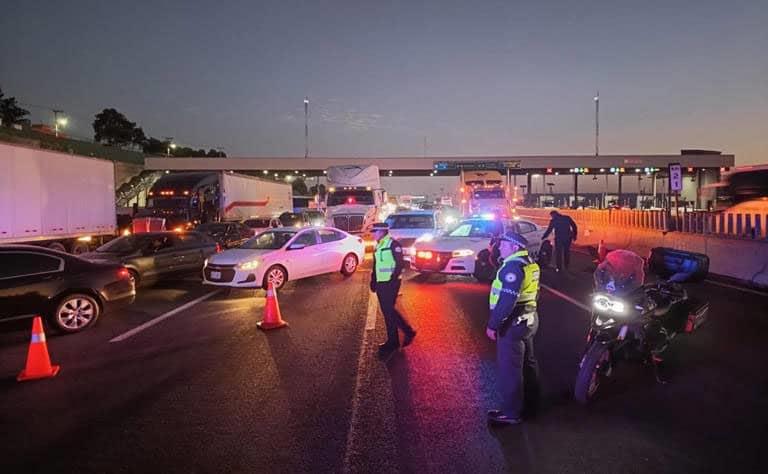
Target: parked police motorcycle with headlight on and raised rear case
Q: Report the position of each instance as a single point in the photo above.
(637, 322)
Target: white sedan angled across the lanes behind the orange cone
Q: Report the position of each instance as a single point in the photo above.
(283, 254)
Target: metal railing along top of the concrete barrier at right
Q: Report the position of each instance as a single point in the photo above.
(749, 226)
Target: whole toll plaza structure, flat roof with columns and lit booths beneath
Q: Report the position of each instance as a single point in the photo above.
(557, 179)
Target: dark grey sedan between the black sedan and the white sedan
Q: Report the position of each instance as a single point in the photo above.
(153, 256)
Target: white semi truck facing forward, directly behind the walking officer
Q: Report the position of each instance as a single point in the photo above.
(354, 199)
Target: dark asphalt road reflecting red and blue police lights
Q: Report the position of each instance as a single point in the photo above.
(205, 391)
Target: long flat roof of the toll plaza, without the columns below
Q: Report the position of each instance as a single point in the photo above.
(452, 165)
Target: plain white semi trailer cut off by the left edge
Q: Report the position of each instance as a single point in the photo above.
(56, 200)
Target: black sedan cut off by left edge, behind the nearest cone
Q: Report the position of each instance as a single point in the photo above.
(71, 293)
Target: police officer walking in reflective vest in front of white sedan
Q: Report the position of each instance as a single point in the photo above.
(388, 264)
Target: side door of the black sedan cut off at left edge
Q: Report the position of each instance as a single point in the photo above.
(27, 280)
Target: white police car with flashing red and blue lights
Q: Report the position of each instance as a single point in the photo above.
(456, 252)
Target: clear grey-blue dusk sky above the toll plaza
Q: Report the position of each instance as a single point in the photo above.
(475, 78)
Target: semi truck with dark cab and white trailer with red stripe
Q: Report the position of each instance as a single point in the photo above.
(190, 198)
